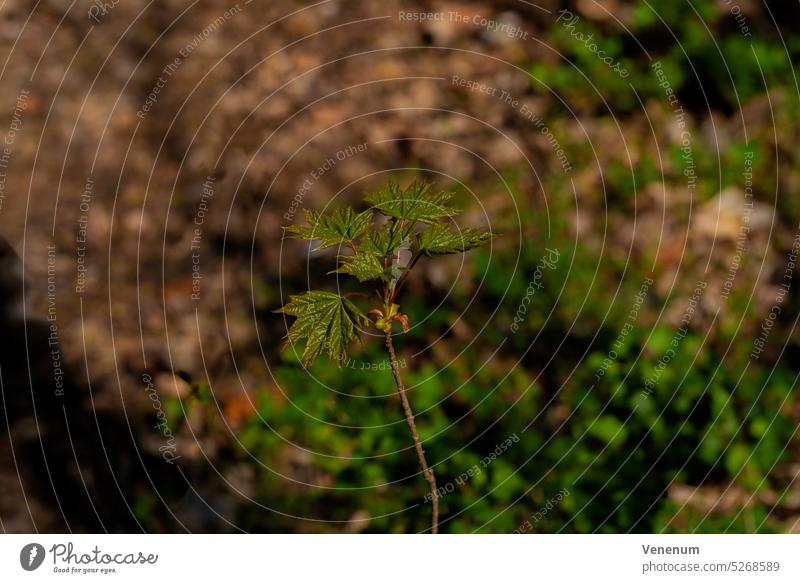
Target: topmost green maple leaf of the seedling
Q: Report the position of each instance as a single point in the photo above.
(417, 202)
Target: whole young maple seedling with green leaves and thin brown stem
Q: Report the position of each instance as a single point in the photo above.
(417, 223)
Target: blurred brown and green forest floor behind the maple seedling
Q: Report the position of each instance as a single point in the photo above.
(632, 333)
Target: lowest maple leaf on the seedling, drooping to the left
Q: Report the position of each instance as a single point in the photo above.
(326, 321)
